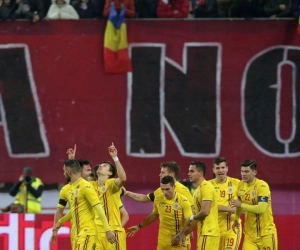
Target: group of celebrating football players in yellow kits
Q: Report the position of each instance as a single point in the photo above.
(214, 207)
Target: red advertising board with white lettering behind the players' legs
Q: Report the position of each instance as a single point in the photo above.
(33, 232)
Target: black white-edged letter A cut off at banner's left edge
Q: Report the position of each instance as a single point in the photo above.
(38, 132)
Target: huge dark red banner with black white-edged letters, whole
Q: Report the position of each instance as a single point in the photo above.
(198, 89)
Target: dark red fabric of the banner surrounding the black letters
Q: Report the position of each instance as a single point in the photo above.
(80, 104)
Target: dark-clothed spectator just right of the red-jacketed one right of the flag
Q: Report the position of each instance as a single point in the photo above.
(204, 8)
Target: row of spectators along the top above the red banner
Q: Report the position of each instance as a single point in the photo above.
(36, 10)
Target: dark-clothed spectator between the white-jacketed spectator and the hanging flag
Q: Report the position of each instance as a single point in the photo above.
(87, 9)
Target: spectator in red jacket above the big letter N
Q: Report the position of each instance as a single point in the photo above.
(173, 8)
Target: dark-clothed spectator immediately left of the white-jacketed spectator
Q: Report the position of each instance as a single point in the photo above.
(33, 10)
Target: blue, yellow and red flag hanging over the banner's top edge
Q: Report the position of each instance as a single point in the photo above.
(116, 58)
